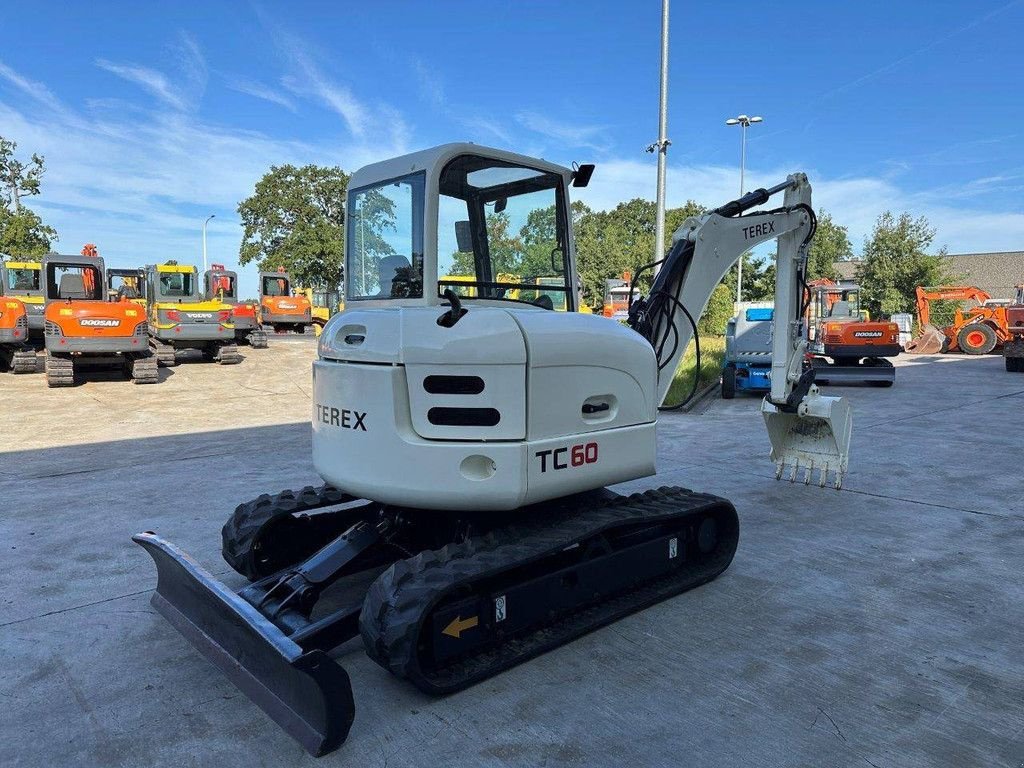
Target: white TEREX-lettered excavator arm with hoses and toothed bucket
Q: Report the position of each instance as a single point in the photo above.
(807, 431)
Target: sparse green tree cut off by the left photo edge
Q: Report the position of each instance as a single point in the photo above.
(22, 231)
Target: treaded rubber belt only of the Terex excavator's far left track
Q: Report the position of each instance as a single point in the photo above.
(242, 532)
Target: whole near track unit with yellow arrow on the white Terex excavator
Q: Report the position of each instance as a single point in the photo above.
(450, 618)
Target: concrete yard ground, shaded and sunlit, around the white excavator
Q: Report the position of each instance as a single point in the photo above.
(877, 626)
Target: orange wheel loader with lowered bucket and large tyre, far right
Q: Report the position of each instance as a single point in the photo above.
(976, 331)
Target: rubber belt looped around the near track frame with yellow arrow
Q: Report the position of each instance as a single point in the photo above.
(403, 598)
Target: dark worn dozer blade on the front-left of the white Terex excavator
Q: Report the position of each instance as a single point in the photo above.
(306, 693)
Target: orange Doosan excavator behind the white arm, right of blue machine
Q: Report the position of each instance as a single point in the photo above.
(846, 347)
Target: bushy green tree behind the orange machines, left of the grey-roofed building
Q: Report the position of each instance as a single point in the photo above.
(897, 262)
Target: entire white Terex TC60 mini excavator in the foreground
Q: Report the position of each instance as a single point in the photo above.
(466, 434)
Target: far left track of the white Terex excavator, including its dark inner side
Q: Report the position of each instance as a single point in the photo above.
(272, 533)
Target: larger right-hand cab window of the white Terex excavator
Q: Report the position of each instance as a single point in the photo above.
(502, 234)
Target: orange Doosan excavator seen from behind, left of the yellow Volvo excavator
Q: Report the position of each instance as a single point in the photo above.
(86, 326)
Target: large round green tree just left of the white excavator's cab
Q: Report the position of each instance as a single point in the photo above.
(295, 220)
